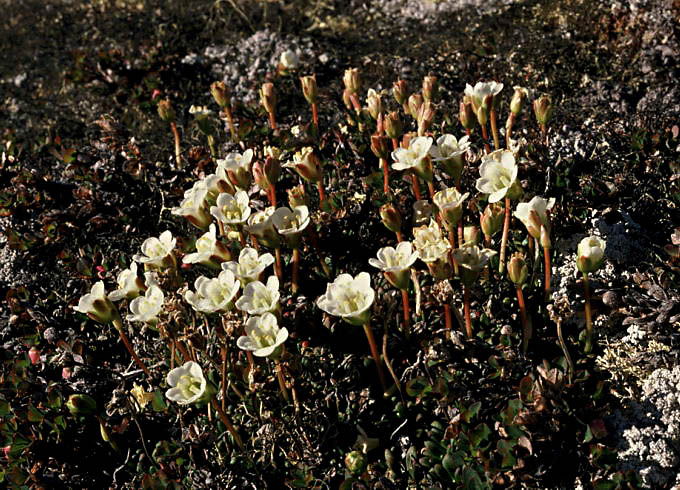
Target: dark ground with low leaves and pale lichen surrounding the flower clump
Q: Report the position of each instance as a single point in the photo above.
(87, 173)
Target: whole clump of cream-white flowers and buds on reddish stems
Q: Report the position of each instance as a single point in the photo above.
(222, 292)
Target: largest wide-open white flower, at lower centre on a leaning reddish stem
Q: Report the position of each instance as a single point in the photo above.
(349, 298)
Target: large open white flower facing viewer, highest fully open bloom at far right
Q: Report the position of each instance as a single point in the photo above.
(498, 176)
